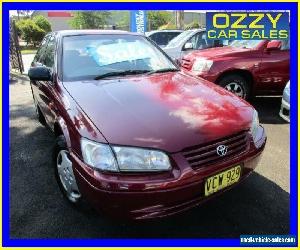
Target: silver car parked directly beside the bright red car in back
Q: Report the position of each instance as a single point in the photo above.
(189, 40)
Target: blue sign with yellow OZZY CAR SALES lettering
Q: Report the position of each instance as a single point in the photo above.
(247, 25)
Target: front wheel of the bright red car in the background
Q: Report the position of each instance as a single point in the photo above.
(237, 85)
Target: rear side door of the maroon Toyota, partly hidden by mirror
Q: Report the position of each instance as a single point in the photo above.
(37, 61)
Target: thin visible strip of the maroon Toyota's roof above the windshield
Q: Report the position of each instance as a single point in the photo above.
(95, 32)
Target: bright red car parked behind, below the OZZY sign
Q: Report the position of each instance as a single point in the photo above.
(246, 68)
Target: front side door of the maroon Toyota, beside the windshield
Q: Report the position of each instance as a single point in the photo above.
(47, 88)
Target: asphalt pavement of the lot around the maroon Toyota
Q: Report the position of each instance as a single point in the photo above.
(259, 205)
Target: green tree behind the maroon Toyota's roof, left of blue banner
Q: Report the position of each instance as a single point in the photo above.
(90, 19)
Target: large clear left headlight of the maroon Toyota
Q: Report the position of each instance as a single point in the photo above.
(114, 158)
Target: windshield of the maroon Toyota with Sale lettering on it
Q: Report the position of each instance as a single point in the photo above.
(87, 57)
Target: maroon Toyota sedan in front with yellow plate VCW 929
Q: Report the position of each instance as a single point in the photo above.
(135, 136)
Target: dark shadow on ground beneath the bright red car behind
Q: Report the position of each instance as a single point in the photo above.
(268, 109)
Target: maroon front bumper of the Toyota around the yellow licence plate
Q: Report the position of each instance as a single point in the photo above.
(148, 196)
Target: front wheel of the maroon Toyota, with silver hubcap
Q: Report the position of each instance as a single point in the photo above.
(64, 171)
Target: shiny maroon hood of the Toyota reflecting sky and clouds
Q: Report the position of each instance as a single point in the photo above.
(169, 111)
